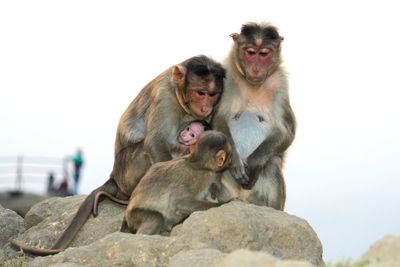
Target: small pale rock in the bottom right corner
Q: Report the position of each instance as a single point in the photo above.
(385, 252)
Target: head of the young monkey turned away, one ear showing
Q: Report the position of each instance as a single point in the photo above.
(212, 151)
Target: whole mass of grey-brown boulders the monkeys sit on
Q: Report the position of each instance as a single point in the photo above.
(236, 230)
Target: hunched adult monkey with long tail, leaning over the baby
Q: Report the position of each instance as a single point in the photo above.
(147, 132)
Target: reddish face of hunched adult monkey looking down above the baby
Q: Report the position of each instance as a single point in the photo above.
(202, 95)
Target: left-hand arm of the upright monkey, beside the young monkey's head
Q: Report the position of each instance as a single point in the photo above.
(237, 166)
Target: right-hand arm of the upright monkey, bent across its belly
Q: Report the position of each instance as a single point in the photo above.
(276, 144)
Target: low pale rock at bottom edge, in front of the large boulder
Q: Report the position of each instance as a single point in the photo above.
(246, 258)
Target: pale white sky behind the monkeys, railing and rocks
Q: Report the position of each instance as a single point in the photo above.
(68, 69)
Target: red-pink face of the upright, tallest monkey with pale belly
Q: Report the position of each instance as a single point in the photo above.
(256, 60)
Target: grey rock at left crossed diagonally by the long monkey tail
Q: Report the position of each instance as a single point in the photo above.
(49, 218)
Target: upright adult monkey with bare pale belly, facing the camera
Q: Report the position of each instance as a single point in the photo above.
(255, 114)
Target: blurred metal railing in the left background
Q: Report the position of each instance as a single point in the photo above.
(22, 170)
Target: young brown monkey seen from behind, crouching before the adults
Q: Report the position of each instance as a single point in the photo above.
(170, 191)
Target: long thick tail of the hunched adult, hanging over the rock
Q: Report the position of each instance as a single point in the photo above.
(75, 225)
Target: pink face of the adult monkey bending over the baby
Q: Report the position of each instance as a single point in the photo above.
(202, 100)
